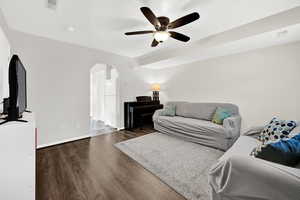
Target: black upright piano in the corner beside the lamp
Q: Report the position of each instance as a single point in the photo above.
(138, 114)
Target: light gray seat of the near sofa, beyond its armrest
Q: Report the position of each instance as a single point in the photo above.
(243, 147)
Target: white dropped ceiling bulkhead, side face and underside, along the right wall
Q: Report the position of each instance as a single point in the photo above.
(247, 37)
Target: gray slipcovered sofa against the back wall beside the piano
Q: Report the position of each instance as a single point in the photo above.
(192, 122)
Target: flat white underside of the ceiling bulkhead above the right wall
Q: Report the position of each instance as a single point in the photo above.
(259, 41)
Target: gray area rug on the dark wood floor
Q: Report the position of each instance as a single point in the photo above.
(182, 165)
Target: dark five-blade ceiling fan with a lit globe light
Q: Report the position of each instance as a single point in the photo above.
(162, 26)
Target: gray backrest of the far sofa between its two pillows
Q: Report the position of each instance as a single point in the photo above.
(202, 111)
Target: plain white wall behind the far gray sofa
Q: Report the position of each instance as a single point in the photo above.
(263, 83)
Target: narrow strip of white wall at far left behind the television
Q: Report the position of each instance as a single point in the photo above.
(4, 62)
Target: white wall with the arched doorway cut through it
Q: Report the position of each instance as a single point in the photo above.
(59, 84)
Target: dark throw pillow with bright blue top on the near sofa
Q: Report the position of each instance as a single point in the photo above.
(285, 152)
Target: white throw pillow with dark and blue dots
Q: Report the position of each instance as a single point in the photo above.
(277, 129)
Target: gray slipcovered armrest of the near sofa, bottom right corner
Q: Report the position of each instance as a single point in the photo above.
(245, 177)
